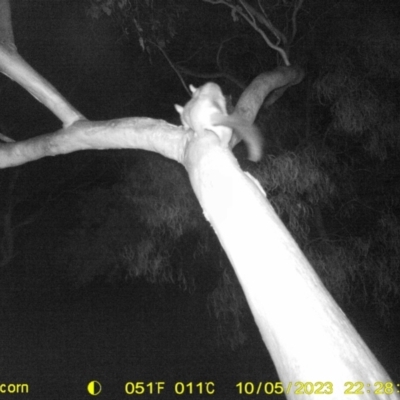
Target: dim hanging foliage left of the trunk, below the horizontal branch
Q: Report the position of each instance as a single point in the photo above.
(151, 227)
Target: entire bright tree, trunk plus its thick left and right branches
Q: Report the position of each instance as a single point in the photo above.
(313, 345)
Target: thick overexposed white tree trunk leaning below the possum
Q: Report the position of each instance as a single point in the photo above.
(313, 345)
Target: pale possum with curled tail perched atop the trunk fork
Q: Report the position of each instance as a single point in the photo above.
(206, 110)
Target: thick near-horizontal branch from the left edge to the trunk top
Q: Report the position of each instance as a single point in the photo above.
(125, 133)
